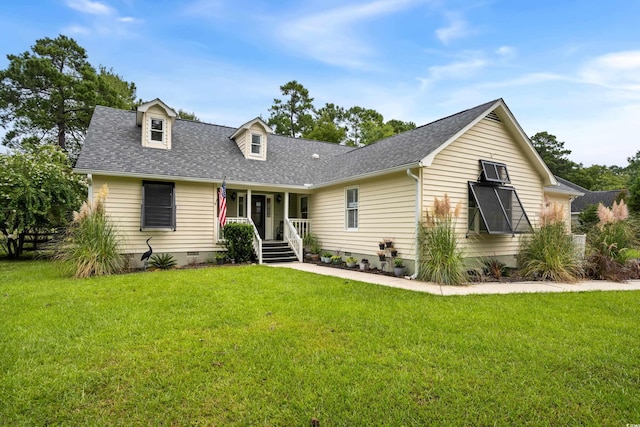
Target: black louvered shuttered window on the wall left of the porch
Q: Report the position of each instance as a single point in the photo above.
(158, 205)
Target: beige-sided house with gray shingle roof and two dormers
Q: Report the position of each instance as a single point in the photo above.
(164, 174)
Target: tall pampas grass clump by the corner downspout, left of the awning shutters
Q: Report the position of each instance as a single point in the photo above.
(441, 259)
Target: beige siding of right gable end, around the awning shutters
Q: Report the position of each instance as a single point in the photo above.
(459, 163)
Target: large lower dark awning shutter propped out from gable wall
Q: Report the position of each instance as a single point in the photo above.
(498, 208)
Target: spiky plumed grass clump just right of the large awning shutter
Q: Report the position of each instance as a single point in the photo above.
(549, 252)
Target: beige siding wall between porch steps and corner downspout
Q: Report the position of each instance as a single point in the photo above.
(386, 209)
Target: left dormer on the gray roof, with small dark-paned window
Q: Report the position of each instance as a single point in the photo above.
(156, 120)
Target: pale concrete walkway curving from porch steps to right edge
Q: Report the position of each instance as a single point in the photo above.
(475, 288)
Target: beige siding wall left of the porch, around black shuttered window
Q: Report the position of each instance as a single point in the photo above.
(195, 216)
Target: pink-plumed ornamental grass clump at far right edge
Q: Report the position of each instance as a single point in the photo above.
(610, 243)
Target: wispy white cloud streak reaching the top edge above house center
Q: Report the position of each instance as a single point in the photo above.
(329, 36)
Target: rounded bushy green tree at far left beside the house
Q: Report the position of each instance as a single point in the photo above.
(37, 190)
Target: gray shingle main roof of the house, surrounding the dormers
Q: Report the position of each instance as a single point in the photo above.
(201, 151)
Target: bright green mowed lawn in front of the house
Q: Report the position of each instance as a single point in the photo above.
(266, 346)
